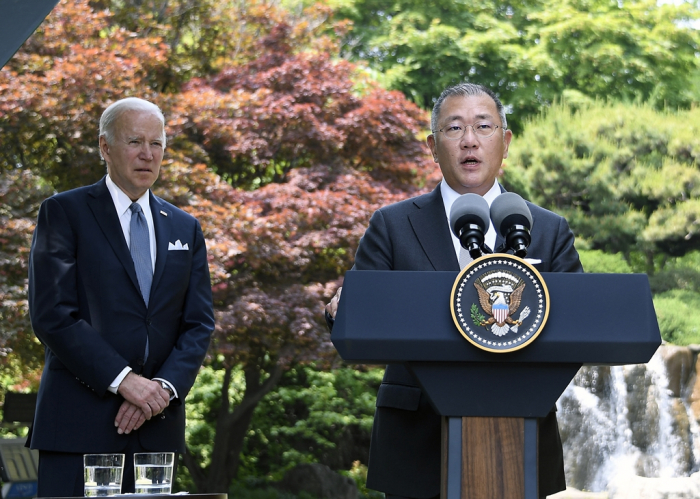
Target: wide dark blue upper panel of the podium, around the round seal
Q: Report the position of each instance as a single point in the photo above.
(396, 316)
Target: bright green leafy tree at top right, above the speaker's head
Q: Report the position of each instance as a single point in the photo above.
(530, 52)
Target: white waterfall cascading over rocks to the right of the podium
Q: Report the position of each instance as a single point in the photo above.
(624, 421)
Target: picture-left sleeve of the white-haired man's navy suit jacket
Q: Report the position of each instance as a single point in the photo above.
(54, 303)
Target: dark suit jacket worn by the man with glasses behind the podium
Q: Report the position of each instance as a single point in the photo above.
(405, 448)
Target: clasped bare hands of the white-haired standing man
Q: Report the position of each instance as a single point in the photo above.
(143, 399)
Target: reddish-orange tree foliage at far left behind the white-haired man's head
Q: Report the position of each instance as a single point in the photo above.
(54, 90)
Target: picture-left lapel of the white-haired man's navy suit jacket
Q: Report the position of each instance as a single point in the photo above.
(102, 207)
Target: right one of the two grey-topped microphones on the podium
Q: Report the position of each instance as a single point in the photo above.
(513, 221)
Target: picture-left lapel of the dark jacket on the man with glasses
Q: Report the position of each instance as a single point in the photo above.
(430, 225)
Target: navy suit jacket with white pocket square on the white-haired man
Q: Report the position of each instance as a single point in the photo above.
(86, 308)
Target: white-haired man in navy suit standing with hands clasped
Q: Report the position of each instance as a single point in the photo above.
(120, 296)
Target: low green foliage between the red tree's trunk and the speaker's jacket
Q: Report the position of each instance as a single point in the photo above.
(314, 416)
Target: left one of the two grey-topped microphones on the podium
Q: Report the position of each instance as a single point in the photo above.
(469, 220)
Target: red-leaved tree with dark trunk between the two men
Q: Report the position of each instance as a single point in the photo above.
(313, 158)
